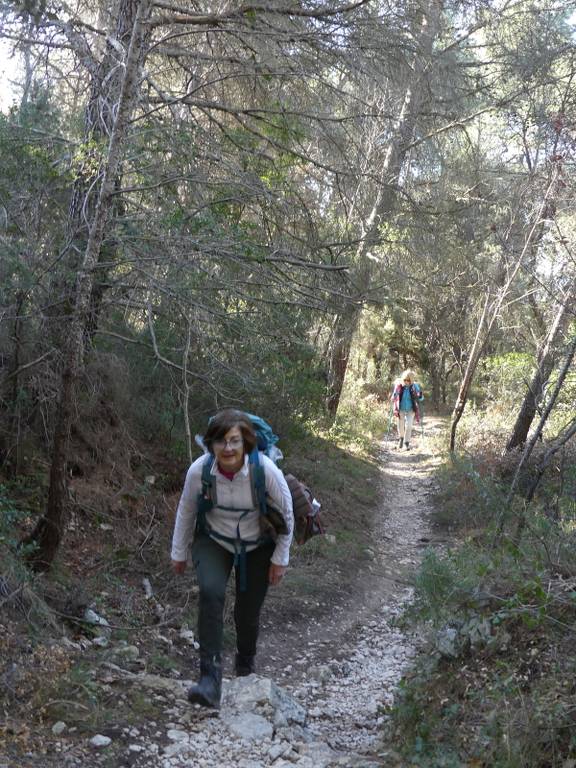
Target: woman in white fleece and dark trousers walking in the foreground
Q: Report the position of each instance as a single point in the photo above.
(220, 514)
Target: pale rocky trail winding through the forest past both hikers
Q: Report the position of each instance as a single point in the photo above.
(327, 704)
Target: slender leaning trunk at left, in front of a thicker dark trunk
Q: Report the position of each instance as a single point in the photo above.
(50, 529)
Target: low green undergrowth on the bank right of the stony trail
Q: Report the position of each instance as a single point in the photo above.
(496, 686)
